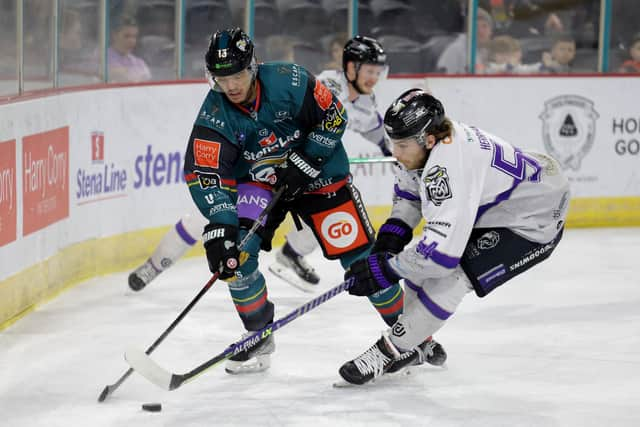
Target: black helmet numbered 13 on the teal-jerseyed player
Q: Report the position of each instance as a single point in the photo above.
(230, 51)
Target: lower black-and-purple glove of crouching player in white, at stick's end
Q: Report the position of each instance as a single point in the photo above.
(370, 275)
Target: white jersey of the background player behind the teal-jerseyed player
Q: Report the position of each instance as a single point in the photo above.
(363, 114)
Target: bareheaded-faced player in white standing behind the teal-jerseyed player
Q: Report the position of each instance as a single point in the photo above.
(364, 64)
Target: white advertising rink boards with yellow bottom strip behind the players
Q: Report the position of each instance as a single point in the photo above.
(90, 180)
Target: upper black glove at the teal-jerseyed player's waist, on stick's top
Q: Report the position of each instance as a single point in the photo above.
(296, 173)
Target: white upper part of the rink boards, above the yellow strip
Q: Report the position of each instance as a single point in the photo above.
(143, 126)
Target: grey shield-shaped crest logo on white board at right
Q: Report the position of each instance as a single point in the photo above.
(568, 129)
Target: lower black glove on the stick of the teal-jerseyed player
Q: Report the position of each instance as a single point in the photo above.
(222, 251)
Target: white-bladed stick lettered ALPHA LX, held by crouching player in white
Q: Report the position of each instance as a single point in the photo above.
(159, 376)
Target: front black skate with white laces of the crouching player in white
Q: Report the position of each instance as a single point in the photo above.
(381, 358)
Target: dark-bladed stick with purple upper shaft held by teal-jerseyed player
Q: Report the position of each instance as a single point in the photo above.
(109, 389)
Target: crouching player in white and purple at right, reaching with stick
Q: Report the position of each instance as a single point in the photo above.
(491, 212)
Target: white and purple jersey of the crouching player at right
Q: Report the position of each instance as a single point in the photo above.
(477, 181)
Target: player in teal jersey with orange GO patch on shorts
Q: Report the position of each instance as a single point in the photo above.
(260, 128)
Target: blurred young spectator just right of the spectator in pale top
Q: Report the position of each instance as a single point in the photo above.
(505, 57)
